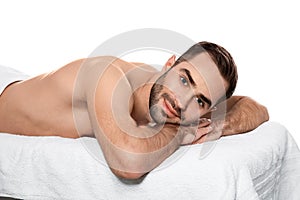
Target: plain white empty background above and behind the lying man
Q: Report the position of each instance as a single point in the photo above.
(262, 36)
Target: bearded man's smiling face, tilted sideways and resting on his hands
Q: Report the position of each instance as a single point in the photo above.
(187, 91)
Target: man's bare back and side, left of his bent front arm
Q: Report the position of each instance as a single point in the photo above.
(44, 105)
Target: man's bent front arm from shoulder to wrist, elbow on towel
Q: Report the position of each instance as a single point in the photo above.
(130, 150)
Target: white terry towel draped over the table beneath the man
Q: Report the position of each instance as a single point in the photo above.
(262, 164)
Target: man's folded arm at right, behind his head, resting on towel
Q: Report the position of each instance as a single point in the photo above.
(243, 114)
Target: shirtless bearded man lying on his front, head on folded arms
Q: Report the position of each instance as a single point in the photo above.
(139, 116)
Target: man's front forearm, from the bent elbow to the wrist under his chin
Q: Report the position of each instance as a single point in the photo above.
(140, 155)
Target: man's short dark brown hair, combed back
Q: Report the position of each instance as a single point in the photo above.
(221, 58)
